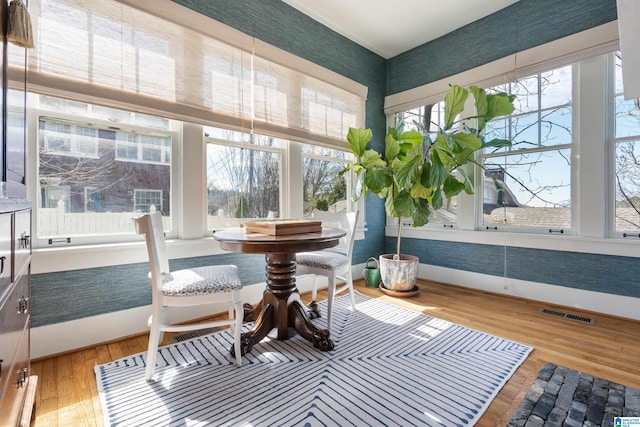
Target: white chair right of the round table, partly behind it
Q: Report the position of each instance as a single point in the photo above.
(335, 263)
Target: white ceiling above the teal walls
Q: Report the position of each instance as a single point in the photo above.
(390, 31)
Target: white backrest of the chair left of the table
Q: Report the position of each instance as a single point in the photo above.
(151, 226)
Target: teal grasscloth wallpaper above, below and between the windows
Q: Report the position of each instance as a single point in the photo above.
(75, 294)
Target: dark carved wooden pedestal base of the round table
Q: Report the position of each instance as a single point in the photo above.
(281, 308)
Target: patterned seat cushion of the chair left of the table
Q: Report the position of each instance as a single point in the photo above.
(201, 281)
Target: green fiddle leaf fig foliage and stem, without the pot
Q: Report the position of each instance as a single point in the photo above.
(418, 171)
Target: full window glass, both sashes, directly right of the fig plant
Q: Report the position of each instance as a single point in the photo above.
(529, 183)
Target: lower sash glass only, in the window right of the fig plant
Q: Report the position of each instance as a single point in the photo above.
(528, 190)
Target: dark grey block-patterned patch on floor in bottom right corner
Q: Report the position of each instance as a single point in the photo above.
(564, 397)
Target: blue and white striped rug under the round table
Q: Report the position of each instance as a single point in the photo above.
(390, 366)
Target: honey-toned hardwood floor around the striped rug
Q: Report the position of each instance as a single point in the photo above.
(66, 394)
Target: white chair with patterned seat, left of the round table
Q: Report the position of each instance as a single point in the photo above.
(187, 287)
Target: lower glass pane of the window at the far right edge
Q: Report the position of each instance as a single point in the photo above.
(627, 205)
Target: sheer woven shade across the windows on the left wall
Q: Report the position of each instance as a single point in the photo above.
(161, 58)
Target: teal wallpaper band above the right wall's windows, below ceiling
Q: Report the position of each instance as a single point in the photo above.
(521, 26)
